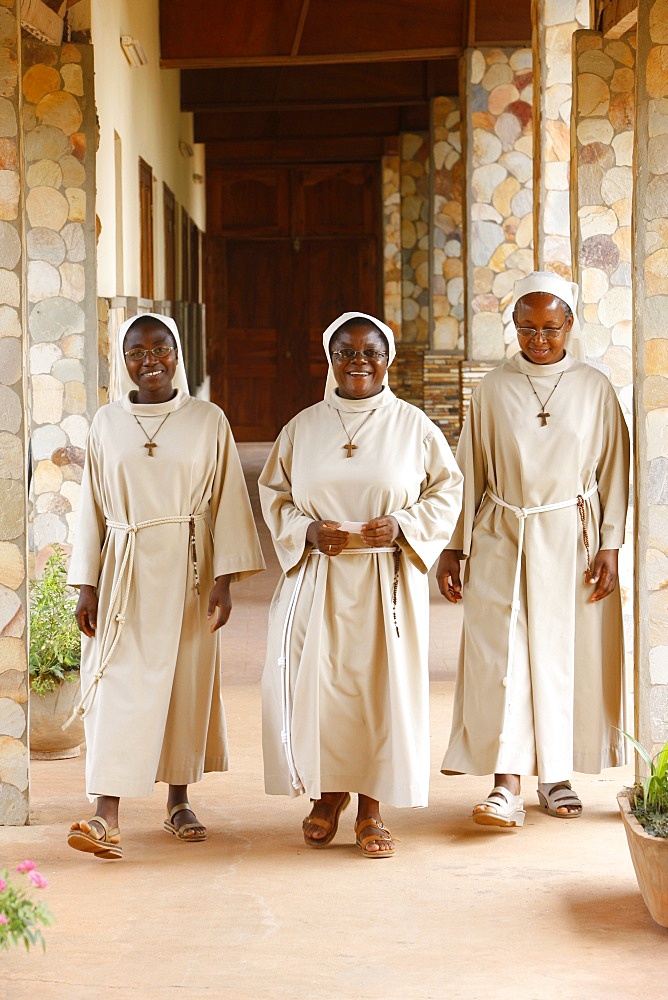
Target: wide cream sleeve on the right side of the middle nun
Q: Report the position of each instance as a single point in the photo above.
(427, 525)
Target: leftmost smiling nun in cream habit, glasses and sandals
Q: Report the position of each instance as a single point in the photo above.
(164, 526)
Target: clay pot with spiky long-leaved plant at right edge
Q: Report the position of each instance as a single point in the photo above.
(644, 809)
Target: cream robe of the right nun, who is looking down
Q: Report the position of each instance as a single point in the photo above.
(564, 699)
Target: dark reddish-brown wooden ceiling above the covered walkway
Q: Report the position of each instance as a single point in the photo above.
(304, 80)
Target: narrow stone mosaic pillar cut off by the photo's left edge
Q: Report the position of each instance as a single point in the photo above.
(14, 759)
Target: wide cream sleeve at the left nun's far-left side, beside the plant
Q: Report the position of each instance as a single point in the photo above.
(85, 563)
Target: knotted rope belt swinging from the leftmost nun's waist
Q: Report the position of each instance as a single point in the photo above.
(126, 570)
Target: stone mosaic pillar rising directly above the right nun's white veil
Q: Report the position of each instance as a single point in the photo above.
(554, 23)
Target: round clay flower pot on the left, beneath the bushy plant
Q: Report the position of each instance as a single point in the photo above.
(48, 712)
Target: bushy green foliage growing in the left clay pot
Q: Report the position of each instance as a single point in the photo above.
(55, 640)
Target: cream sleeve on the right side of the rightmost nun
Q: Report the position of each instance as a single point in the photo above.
(612, 474)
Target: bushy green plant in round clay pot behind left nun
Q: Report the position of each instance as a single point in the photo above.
(55, 656)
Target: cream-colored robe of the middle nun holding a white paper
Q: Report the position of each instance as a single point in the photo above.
(360, 718)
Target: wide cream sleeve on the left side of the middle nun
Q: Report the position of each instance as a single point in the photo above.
(286, 522)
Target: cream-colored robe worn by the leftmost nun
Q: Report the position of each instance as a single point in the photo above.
(158, 711)
